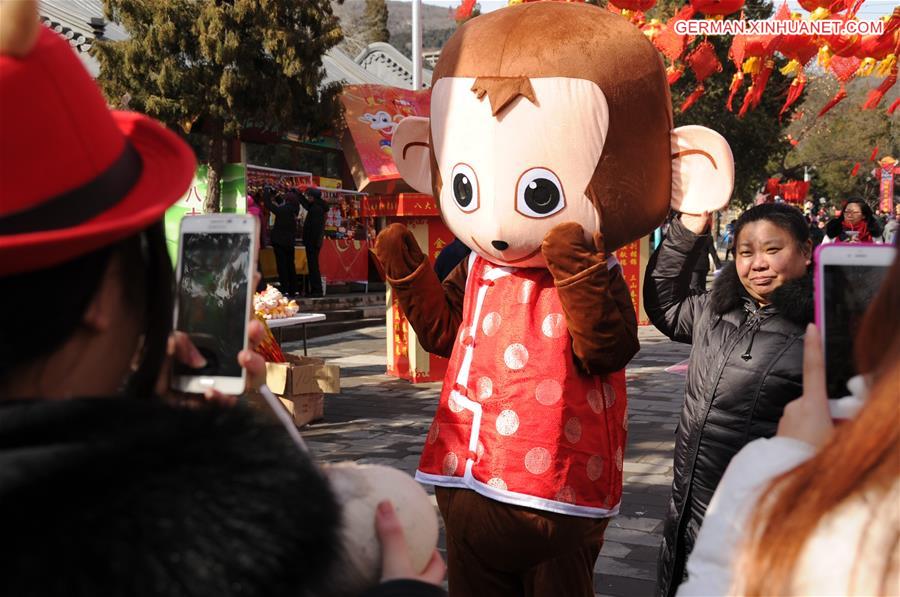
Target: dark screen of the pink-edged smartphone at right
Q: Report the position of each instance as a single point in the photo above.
(849, 289)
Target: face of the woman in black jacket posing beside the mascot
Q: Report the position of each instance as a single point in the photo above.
(767, 257)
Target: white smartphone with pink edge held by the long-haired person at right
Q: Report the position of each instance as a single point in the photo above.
(847, 278)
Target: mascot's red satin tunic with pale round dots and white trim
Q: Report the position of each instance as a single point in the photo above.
(517, 421)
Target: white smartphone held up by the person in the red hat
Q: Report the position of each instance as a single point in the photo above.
(216, 263)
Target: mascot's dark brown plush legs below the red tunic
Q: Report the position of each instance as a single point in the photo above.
(501, 550)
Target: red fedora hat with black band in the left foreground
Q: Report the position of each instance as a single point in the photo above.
(75, 176)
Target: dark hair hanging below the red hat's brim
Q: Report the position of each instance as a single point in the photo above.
(62, 293)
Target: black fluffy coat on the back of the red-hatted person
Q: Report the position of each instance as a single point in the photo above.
(135, 498)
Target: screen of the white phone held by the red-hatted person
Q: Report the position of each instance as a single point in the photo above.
(212, 298)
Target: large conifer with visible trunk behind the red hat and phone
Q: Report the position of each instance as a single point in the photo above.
(228, 65)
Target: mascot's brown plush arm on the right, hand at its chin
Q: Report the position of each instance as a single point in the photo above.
(596, 301)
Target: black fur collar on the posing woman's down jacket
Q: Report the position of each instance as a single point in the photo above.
(793, 300)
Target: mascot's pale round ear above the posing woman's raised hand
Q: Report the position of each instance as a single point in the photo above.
(702, 170)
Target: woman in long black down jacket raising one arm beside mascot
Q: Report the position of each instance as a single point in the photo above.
(746, 361)
